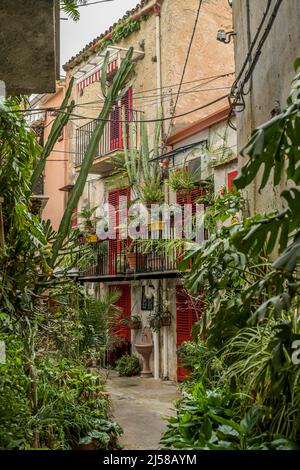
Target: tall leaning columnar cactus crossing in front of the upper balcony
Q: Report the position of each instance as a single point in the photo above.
(115, 92)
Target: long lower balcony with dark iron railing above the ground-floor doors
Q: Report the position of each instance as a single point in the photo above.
(111, 263)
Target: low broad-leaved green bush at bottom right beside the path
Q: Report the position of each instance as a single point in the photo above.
(209, 420)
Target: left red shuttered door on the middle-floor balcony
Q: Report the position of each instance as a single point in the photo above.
(117, 247)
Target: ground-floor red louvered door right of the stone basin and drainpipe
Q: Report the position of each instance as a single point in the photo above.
(187, 314)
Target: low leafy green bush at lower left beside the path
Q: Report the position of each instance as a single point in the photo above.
(72, 408)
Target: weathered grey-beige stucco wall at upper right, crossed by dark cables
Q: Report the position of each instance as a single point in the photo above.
(271, 78)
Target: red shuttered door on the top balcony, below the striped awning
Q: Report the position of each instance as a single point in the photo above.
(116, 137)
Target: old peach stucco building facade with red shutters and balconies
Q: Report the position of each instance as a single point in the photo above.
(160, 34)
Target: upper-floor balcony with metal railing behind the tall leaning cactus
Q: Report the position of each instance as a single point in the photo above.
(111, 142)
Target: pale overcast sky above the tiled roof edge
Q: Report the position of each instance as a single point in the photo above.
(95, 19)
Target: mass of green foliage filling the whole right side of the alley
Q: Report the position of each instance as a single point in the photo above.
(250, 318)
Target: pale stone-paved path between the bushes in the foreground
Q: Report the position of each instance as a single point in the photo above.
(138, 406)
